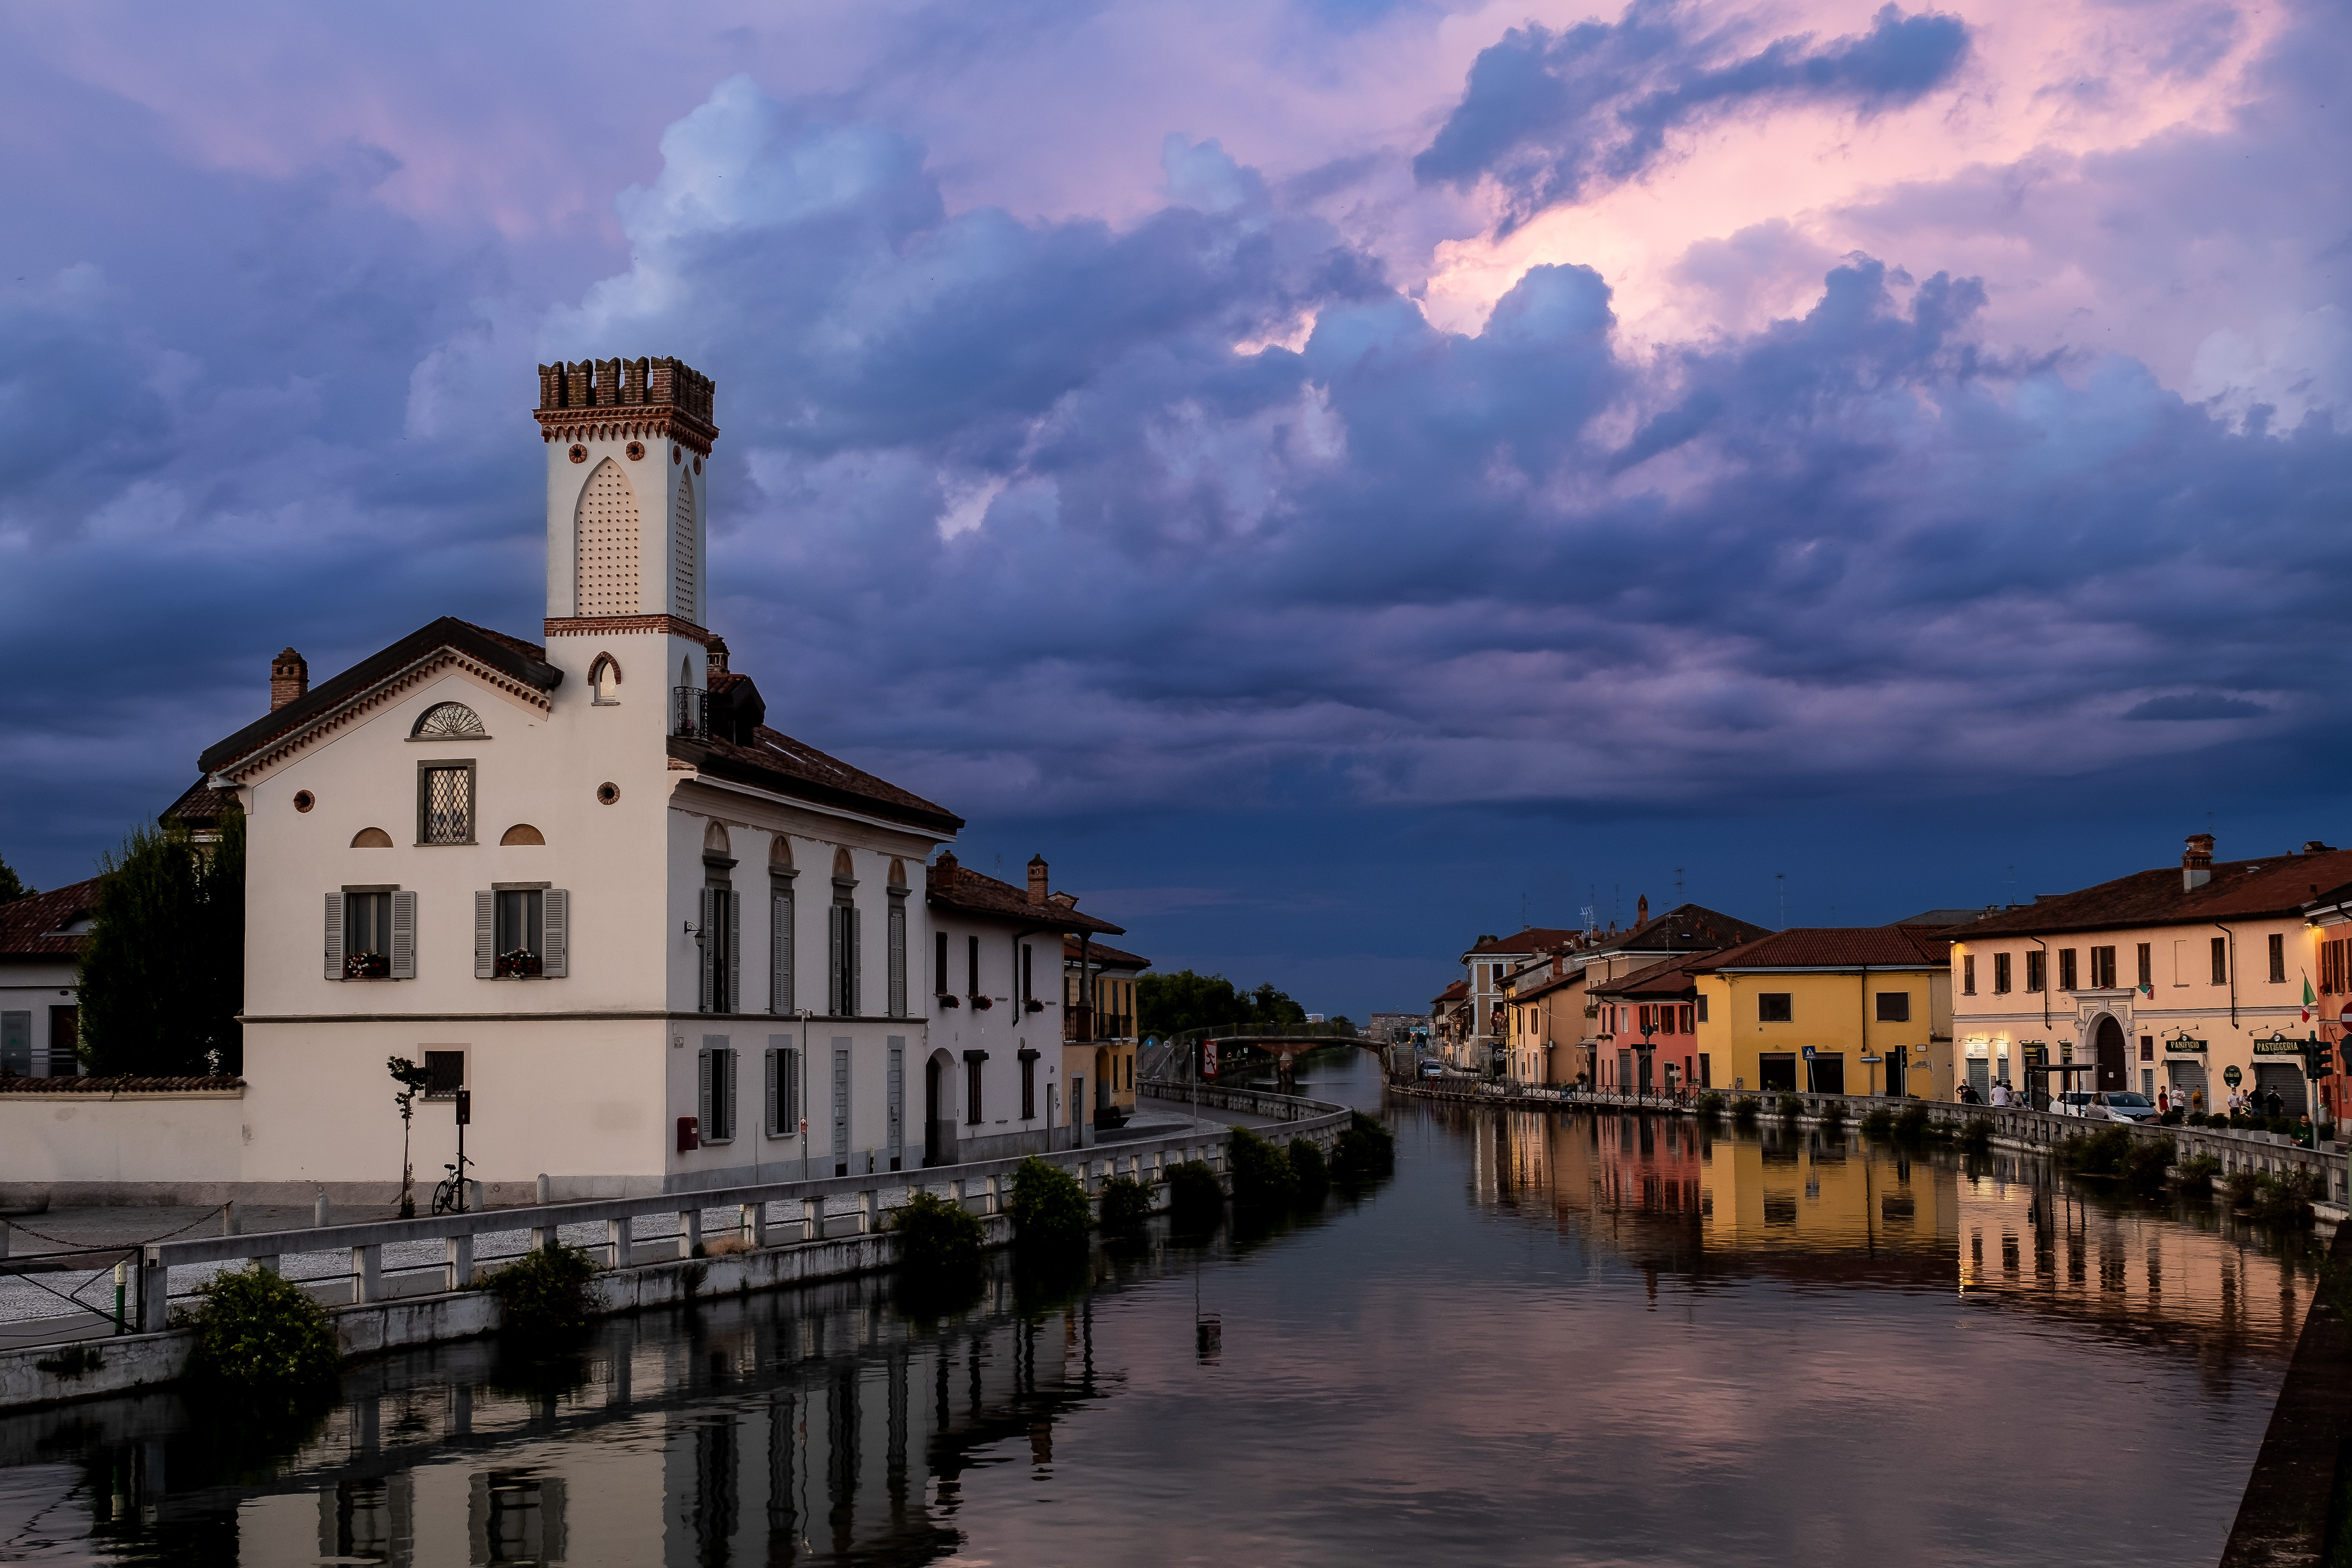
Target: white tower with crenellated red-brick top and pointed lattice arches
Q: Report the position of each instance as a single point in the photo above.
(627, 521)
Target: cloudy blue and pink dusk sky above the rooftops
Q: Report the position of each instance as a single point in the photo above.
(1332, 476)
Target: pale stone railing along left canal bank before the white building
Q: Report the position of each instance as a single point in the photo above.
(368, 1264)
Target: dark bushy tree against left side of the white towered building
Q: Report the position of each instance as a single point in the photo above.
(163, 970)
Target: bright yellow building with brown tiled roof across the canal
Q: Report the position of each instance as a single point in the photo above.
(1833, 1010)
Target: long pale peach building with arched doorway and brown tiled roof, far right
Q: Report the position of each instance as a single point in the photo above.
(2165, 981)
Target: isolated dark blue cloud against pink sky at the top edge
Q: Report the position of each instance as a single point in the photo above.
(1553, 114)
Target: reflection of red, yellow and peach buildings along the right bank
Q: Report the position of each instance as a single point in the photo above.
(2007, 1233)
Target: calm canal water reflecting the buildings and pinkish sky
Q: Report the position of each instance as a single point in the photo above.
(1546, 1339)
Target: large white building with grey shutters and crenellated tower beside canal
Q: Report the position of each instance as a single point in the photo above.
(660, 944)
